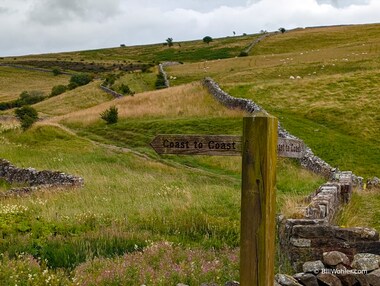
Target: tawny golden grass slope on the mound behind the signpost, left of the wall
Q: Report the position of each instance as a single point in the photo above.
(189, 100)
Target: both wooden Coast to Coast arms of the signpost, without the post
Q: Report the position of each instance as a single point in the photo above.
(220, 145)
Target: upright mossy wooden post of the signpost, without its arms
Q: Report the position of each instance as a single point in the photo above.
(258, 201)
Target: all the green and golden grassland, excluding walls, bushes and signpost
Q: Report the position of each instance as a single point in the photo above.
(183, 211)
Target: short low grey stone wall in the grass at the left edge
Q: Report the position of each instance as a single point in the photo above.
(33, 178)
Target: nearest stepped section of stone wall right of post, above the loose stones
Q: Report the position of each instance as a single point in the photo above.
(309, 237)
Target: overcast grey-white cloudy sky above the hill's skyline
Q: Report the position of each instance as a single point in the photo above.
(41, 26)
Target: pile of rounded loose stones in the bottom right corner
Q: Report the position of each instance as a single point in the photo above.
(336, 269)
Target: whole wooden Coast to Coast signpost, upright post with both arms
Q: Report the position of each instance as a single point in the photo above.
(259, 147)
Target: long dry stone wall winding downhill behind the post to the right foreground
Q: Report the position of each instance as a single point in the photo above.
(307, 238)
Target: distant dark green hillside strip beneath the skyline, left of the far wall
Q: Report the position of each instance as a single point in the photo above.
(188, 51)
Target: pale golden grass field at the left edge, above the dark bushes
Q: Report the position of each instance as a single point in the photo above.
(14, 81)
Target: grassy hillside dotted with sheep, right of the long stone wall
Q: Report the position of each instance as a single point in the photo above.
(333, 105)
